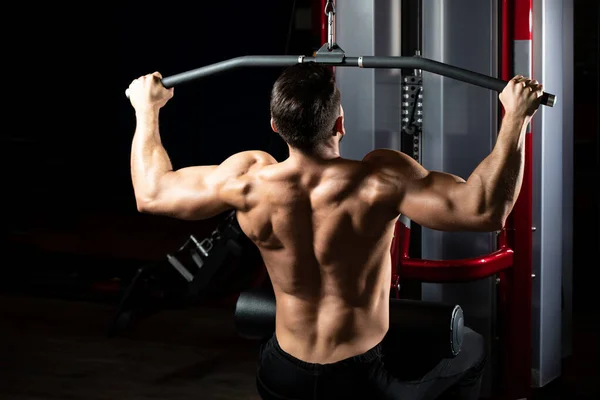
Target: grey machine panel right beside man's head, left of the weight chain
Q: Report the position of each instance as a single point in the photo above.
(370, 97)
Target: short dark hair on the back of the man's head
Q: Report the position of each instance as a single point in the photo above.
(305, 103)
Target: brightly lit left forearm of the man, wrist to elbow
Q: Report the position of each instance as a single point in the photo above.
(149, 159)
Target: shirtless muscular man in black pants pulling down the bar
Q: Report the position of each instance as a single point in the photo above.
(324, 226)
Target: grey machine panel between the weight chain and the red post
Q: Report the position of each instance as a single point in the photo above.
(459, 130)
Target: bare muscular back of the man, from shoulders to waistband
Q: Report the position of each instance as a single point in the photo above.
(324, 229)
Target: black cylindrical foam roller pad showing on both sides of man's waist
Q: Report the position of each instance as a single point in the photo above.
(440, 326)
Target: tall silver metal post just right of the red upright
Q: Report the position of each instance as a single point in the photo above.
(550, 188)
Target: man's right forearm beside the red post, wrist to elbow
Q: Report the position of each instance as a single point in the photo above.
(499, 176)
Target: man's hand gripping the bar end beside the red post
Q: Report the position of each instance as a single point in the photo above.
(521, 96)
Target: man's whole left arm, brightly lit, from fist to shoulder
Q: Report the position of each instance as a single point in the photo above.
(189, 193)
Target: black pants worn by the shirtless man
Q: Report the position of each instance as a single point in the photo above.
(281, 376)
